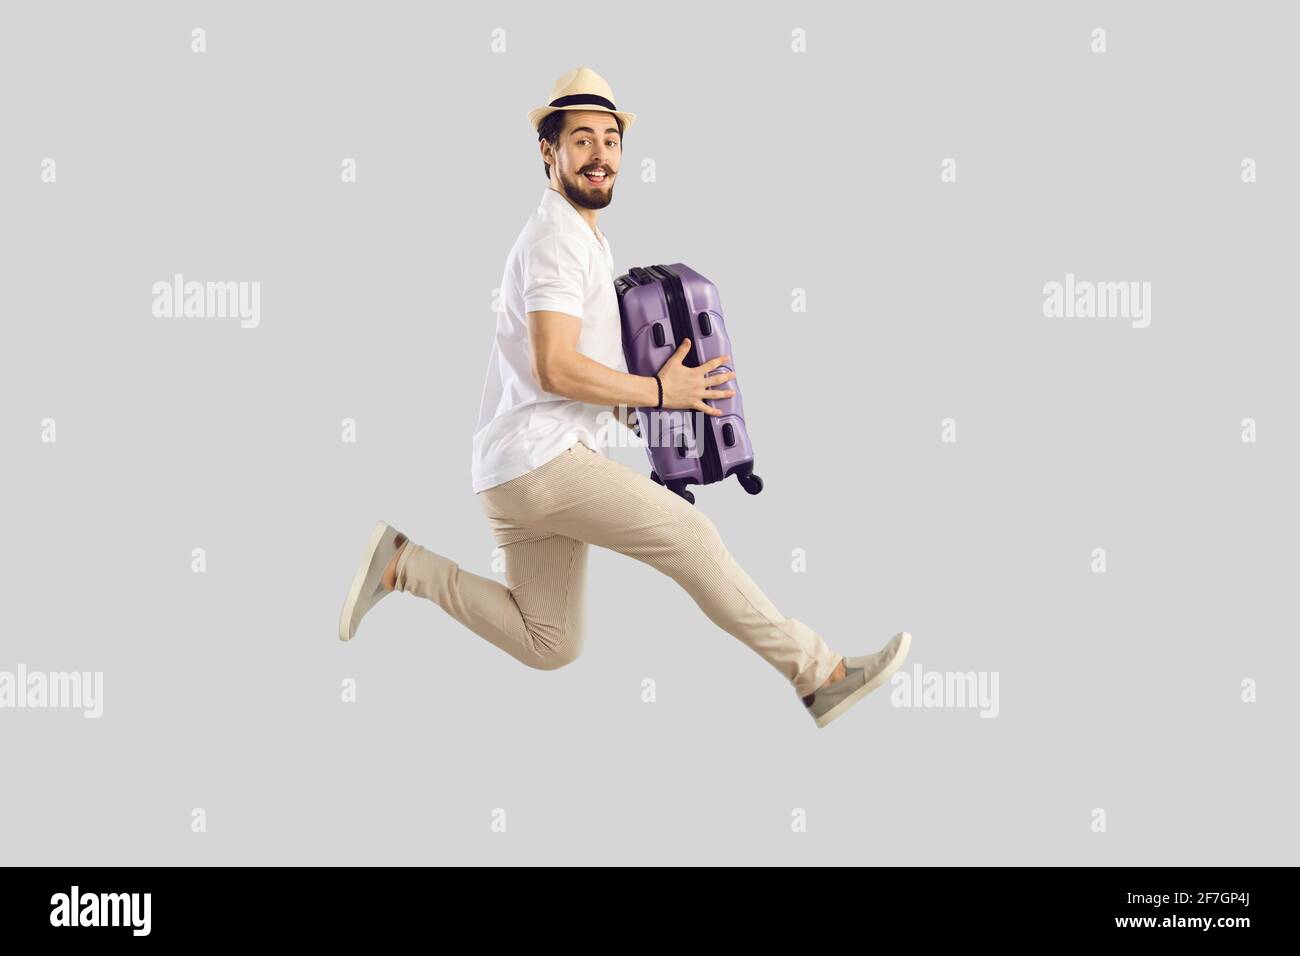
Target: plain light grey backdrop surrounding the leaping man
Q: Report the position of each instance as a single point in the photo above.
(775, 171)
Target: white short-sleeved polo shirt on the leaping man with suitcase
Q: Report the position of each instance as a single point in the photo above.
(558, 265)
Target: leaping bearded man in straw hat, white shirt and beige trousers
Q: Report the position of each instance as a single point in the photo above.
(540, 471)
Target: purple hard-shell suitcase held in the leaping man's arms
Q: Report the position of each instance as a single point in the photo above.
(660, 306)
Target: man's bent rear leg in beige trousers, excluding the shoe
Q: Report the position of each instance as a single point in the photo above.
(539, 620)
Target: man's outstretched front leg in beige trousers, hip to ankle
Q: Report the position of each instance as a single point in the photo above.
(606, 504)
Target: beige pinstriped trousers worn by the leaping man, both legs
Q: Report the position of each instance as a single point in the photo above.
(544, 522)
